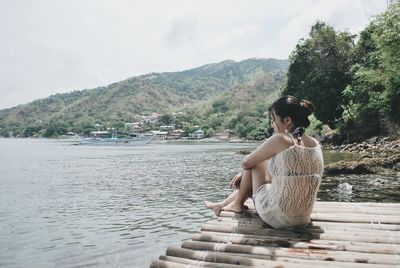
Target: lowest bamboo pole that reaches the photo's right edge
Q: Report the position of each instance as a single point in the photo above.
(309, 254)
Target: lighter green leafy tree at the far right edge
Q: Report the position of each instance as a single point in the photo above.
(371, 101)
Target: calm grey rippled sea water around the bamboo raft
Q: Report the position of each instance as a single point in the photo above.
(75, 206)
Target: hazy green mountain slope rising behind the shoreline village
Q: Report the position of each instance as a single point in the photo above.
(154, 92)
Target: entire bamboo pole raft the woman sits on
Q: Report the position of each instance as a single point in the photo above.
(340, 235)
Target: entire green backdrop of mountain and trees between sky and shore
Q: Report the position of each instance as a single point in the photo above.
(352, 80)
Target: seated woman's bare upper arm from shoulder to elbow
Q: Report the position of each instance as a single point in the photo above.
(268, 149)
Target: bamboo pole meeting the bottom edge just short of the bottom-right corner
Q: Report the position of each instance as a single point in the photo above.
(261, 260)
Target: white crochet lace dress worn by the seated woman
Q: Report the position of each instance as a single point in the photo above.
(296, 175)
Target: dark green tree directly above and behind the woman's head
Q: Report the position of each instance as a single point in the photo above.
(319, 71)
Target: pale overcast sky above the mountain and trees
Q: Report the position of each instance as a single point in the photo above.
(57, 46)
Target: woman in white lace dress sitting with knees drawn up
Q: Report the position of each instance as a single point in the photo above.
(283, 174)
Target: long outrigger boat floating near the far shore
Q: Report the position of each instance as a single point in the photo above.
(114, 140)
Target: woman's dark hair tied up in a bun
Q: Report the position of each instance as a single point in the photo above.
(290, 106)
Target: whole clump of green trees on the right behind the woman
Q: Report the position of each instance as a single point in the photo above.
(354, 85)
